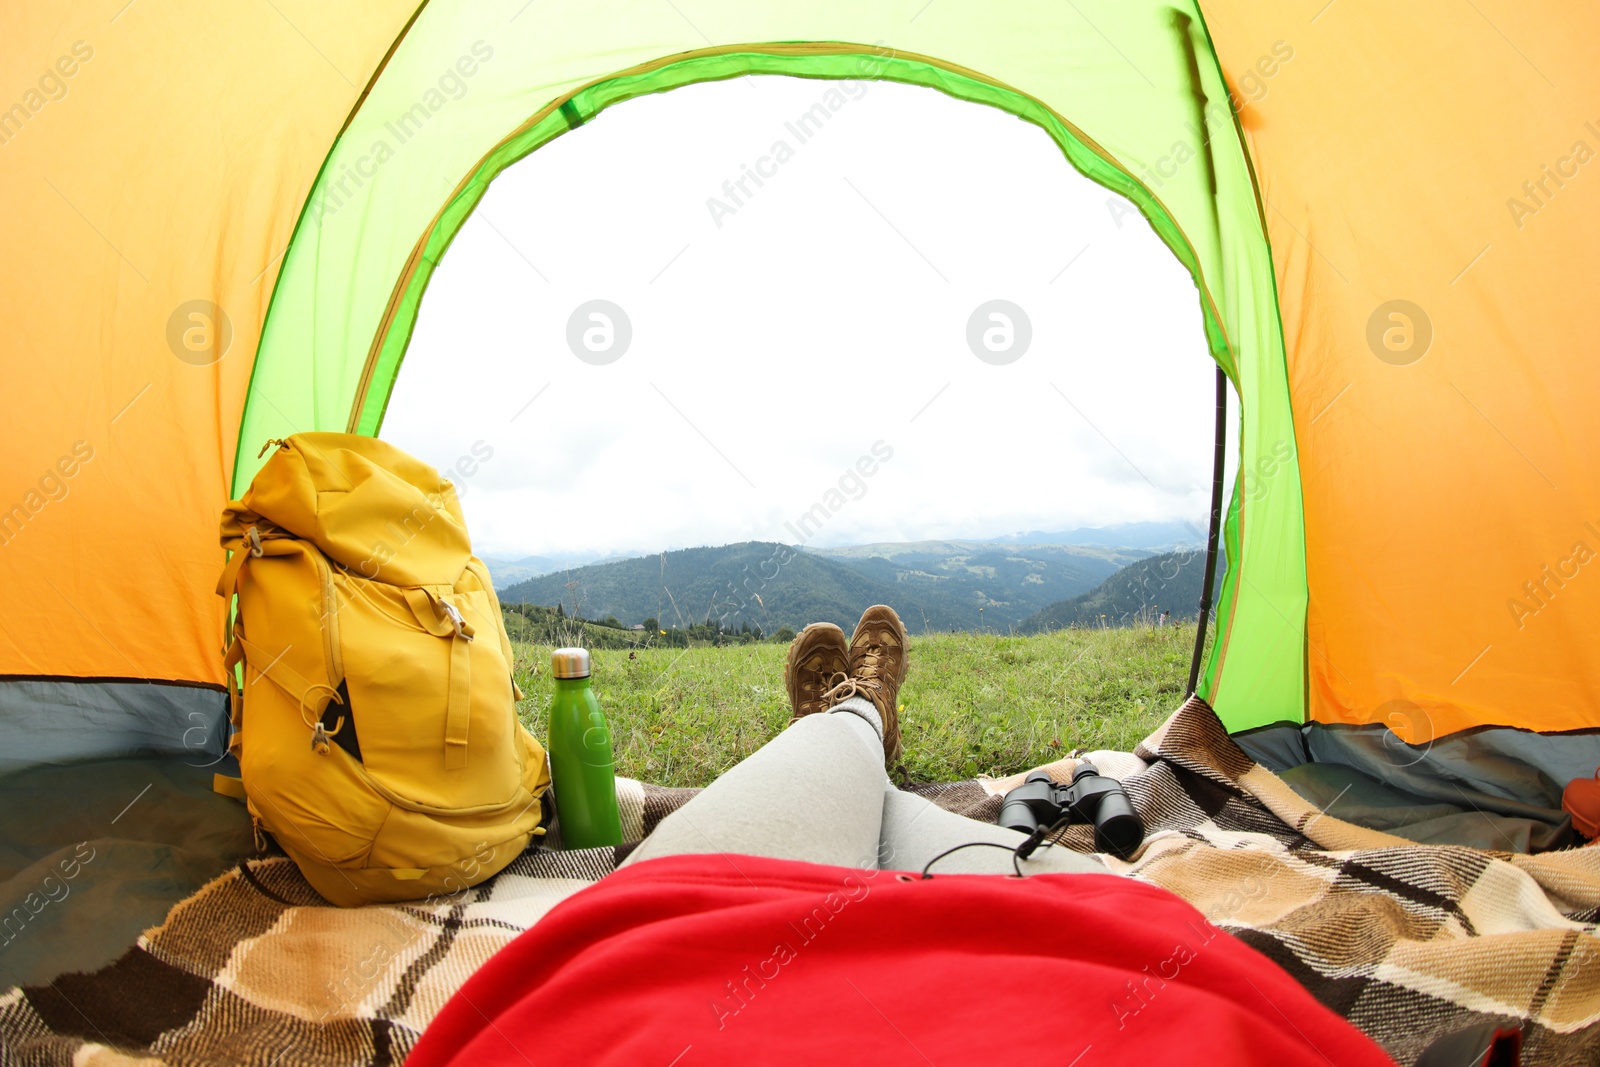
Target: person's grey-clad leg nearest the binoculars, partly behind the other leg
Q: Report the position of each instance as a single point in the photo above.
(916, 831)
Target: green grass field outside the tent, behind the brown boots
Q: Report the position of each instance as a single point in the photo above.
(975, 703)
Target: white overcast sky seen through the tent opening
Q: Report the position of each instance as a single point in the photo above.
(782, 330)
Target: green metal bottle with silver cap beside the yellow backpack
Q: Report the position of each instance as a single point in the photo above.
(583, 770)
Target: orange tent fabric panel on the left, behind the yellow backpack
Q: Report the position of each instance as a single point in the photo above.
(145, 134)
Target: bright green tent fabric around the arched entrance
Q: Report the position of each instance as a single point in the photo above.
(450, 111)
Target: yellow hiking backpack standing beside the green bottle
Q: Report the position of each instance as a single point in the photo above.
(377, 727)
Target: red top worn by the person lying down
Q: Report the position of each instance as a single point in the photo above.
(694, 961)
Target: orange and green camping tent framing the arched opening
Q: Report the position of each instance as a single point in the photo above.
(222, 222)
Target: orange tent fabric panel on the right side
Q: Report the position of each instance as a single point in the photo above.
(1447, 156)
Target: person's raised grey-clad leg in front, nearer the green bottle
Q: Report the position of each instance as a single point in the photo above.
(814, 793)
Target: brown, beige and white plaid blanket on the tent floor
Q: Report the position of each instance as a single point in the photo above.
(1407, 941)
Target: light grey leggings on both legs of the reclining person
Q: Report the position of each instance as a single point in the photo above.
(818, 793)
